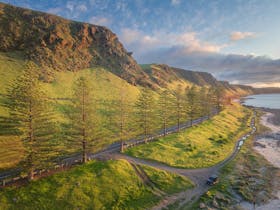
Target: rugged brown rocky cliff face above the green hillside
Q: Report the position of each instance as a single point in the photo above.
(60, 44)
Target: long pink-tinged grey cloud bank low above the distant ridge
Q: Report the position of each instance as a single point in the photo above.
(188, 51)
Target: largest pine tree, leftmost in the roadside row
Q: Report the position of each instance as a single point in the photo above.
(31, 117)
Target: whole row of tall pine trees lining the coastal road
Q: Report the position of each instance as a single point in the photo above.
(32, 116)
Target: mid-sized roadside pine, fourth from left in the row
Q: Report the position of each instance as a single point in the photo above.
(145, 112)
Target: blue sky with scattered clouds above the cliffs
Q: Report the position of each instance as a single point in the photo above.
(235, 40)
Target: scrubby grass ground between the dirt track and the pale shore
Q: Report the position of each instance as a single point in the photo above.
(249, 175)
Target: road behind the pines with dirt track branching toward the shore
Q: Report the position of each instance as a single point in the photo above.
(197, 176)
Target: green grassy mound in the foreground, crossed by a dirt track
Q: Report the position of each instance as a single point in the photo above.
(95, 185)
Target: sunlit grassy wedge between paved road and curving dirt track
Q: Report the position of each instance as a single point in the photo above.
(200, 146)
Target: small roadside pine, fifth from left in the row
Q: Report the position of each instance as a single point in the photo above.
(165, 107)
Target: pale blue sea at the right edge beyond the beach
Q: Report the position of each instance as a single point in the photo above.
(271, 101)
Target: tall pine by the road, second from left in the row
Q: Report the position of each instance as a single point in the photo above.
(84, 120)
